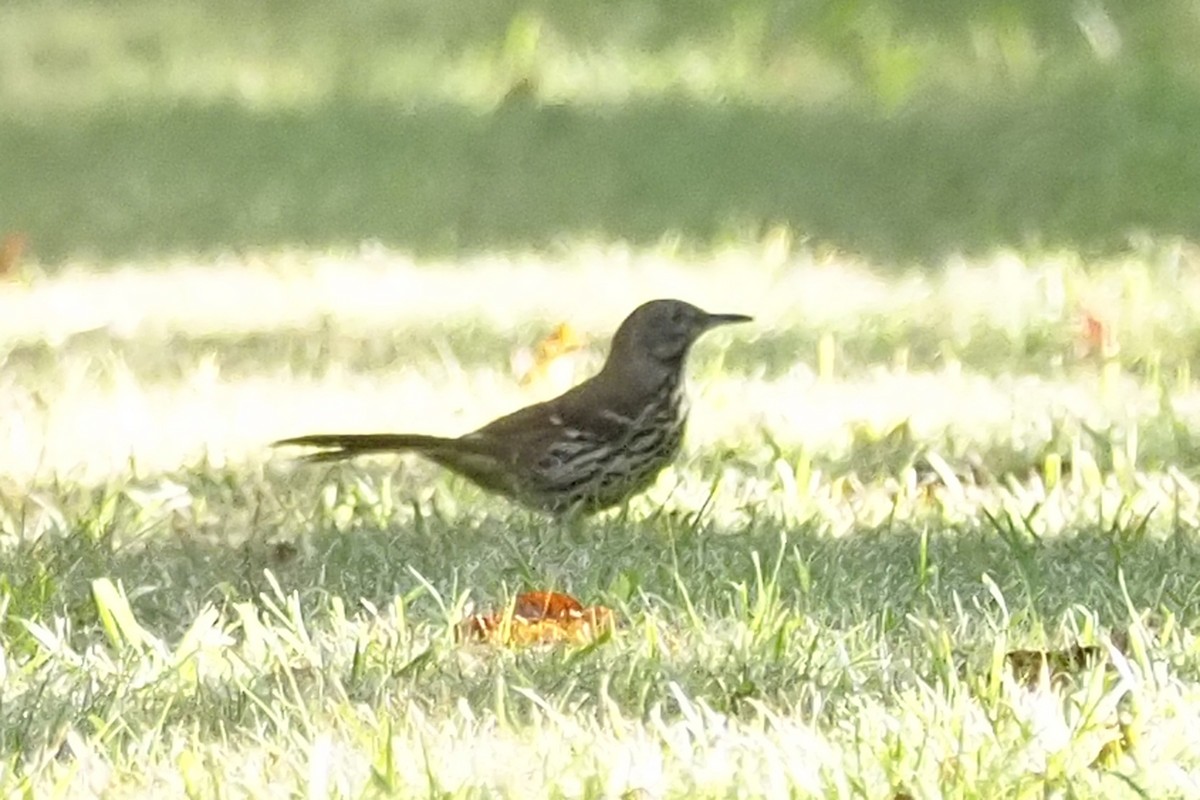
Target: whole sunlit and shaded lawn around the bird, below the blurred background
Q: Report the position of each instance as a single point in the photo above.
(819, 600)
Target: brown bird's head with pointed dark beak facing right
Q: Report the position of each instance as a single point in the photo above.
(664, 332)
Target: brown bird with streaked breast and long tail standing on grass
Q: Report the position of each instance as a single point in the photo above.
(590, 449)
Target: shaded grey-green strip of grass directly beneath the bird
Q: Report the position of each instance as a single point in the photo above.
(368, 532)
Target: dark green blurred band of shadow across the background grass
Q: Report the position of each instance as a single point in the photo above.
(1079, 166)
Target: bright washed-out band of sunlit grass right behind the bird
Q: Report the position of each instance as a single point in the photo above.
(166, 365)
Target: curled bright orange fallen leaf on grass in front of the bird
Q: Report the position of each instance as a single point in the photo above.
(539, 618)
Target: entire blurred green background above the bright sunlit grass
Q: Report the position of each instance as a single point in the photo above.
(901, 130)
